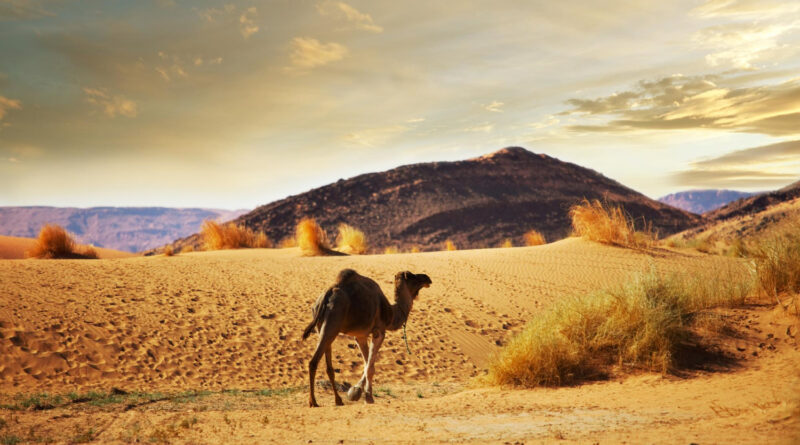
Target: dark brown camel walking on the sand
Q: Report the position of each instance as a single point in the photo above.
(356, 306)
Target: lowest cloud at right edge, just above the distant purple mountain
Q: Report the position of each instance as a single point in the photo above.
(765, 166)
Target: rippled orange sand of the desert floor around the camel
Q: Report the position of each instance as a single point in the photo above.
(205, 348)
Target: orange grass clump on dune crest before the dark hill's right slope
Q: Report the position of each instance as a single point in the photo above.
(608, 224)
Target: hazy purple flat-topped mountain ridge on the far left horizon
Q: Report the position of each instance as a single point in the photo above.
(130, 229)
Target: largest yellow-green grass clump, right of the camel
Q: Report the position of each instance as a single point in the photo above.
(640, 325)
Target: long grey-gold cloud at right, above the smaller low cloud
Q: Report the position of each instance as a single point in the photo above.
(695, 102)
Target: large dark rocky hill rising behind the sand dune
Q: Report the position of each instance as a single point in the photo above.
(475, 203)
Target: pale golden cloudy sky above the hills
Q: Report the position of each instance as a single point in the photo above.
(236, 104)
